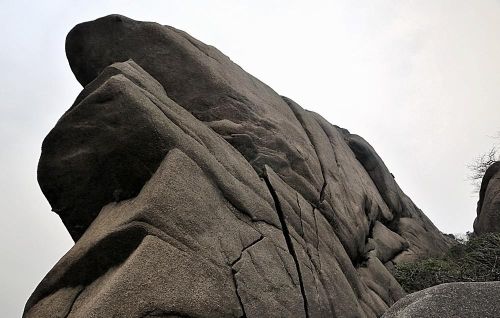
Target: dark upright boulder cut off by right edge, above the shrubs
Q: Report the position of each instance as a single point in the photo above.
(488, 206)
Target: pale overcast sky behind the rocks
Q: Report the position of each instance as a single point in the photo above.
(418, 79)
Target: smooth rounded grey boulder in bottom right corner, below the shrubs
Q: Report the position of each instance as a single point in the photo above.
(454, 300)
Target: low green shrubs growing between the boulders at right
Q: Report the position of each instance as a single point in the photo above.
(475, 260)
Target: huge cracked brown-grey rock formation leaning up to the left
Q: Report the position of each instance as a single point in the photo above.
(192, 189)
